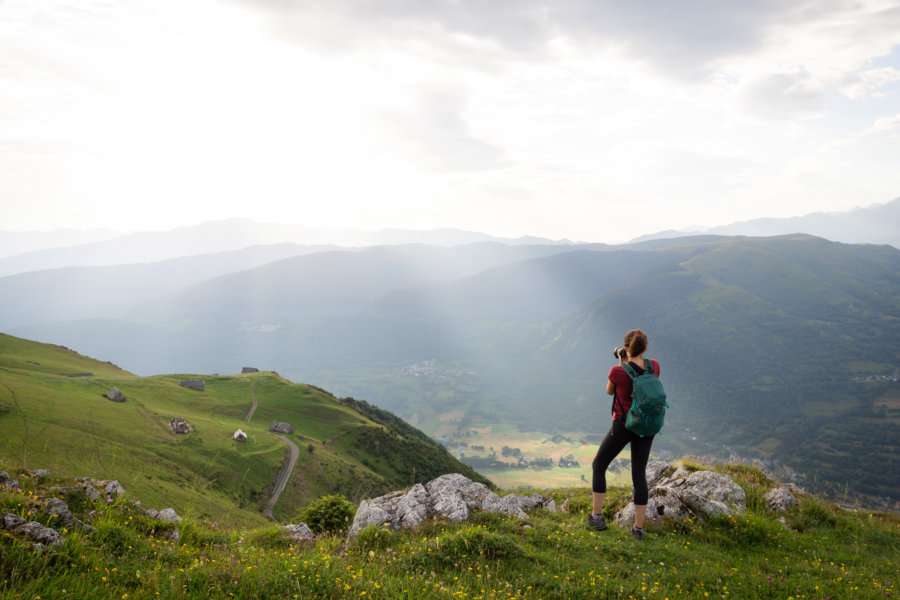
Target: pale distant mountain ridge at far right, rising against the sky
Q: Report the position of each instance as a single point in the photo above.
(877, 224)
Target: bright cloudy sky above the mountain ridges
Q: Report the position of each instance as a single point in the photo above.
(588, 120)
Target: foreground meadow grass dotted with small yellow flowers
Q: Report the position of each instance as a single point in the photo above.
(820, 551)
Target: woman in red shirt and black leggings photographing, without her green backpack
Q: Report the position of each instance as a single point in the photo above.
(619, 387)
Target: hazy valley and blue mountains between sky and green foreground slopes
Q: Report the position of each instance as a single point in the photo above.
(782, 349)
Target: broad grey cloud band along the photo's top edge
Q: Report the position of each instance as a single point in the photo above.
(683, 36)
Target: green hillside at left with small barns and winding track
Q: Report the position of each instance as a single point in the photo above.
(54, 420)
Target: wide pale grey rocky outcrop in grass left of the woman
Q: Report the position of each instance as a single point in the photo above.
(449, 497)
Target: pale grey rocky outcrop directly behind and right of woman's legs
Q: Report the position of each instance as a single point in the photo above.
(681, 493)
